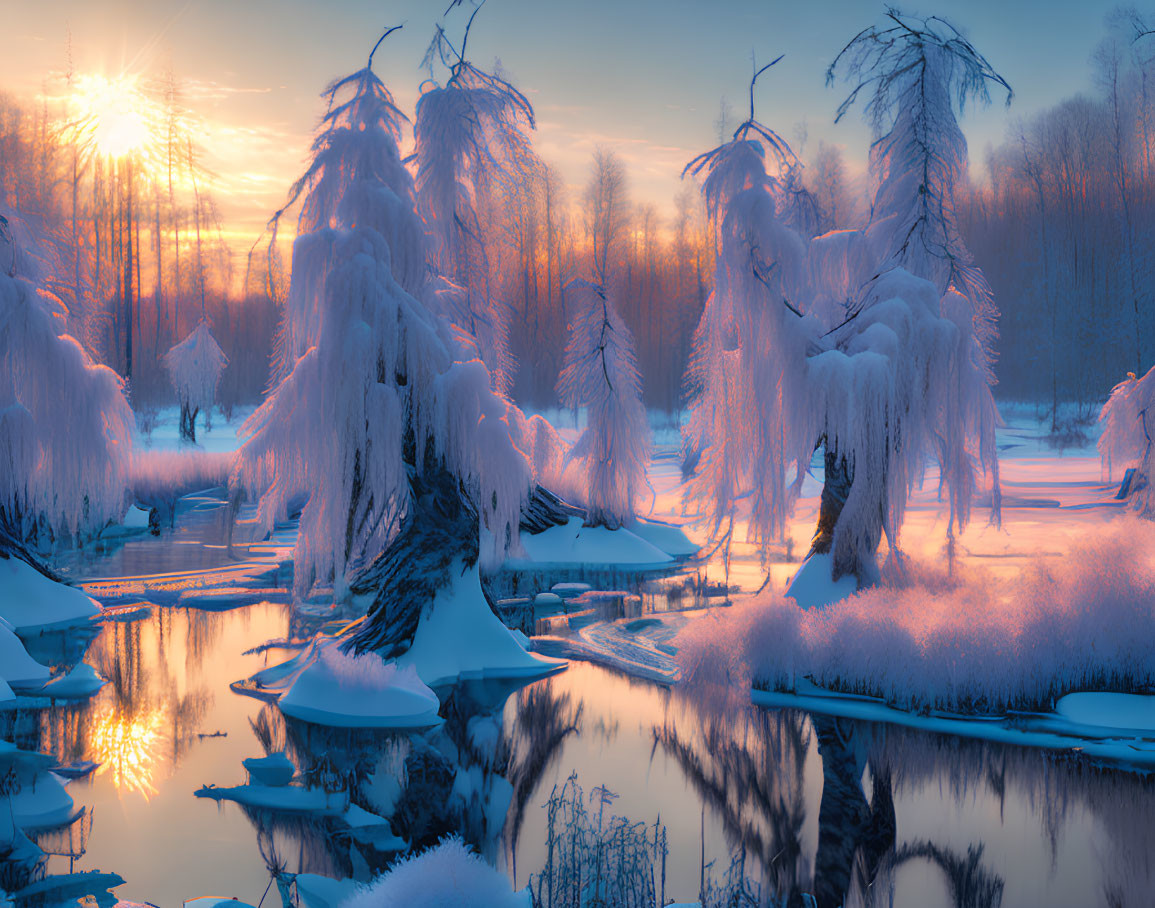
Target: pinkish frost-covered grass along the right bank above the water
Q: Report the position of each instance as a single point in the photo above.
(967, 643)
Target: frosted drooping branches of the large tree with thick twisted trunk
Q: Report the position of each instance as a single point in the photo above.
(385, 396)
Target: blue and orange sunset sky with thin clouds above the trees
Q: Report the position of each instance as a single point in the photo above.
(644, 78)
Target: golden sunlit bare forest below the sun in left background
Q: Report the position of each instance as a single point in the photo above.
(135, 242)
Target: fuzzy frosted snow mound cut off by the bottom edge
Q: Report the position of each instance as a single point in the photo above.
(446, 876)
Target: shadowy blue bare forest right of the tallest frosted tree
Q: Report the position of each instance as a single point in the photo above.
(1064, 232)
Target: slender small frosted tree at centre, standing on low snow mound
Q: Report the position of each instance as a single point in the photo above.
(601, 375)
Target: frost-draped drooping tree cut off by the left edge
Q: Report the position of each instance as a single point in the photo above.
(65, 426)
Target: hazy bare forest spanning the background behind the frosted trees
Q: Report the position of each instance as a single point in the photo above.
(1063, 226)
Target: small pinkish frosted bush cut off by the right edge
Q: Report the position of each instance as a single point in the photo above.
(1127, 438)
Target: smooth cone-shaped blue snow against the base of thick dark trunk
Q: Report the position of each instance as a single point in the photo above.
(460, 638)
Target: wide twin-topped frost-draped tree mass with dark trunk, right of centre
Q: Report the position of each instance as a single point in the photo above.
(895, 376)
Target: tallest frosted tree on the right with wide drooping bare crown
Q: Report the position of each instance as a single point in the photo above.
(915, 73)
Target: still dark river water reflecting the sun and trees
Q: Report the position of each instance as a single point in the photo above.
(814, 806)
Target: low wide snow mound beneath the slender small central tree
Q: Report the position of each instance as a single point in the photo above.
(575, 544)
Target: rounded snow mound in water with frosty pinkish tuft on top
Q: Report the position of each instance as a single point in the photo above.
(360, 693)
